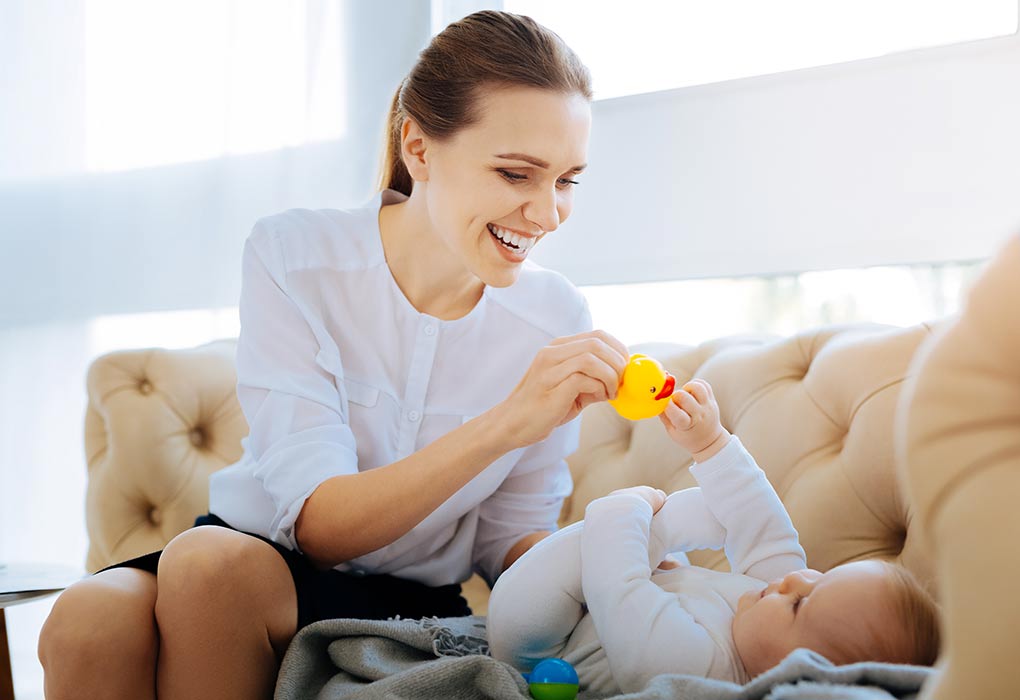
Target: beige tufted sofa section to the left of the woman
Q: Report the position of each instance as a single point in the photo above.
(159, 423)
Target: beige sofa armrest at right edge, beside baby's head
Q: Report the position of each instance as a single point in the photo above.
(960, 458)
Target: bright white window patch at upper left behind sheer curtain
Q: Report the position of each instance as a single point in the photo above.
(193, 80)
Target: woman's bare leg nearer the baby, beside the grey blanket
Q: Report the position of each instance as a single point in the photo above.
(227, 610)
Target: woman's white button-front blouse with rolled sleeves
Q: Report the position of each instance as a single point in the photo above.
(338, 373)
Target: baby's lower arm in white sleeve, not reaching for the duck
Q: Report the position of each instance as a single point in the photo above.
(643, 629)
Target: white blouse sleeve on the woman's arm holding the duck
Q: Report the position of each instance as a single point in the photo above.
(299, 435)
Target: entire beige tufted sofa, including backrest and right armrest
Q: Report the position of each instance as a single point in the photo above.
(820, 411)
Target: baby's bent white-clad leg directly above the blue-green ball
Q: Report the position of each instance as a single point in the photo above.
(538, 603)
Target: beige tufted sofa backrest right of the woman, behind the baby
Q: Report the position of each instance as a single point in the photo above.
(817, 411)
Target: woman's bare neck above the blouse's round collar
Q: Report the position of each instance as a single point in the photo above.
(430, 278)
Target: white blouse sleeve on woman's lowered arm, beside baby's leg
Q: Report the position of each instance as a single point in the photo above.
(529, 501)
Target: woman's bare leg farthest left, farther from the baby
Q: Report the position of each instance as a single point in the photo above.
(100, 640)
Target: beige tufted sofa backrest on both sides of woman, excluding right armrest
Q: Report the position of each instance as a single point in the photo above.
(817, 410)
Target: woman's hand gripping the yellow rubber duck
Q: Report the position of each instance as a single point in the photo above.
(566, 377)
